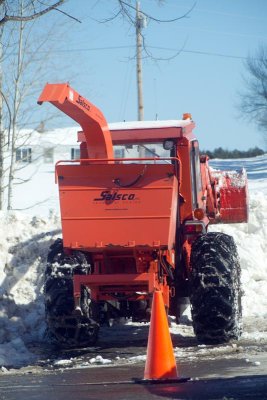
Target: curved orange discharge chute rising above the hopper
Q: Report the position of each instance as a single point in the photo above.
(90, 118)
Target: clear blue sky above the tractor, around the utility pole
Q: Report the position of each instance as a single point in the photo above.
(204, 79)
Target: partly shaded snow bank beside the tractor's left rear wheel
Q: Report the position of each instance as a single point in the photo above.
(24, 243)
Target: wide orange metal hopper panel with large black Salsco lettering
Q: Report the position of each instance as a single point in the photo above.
(96, 213)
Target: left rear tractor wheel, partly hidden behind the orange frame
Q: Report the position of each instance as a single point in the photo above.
(67, 326)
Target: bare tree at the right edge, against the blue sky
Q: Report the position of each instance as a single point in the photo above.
(253, 99)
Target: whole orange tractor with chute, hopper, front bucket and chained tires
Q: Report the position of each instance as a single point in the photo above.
(132, 225)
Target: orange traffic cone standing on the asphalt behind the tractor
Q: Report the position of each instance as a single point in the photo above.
(160, 361)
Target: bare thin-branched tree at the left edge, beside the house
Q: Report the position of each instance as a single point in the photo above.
(15, 83)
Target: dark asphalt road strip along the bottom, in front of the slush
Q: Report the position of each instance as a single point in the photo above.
(118, 383)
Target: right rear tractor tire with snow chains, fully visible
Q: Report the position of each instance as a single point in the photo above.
(215, 289)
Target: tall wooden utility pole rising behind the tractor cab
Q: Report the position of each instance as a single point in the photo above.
(140, 23)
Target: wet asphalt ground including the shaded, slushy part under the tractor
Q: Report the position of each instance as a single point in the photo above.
(232, 372)
